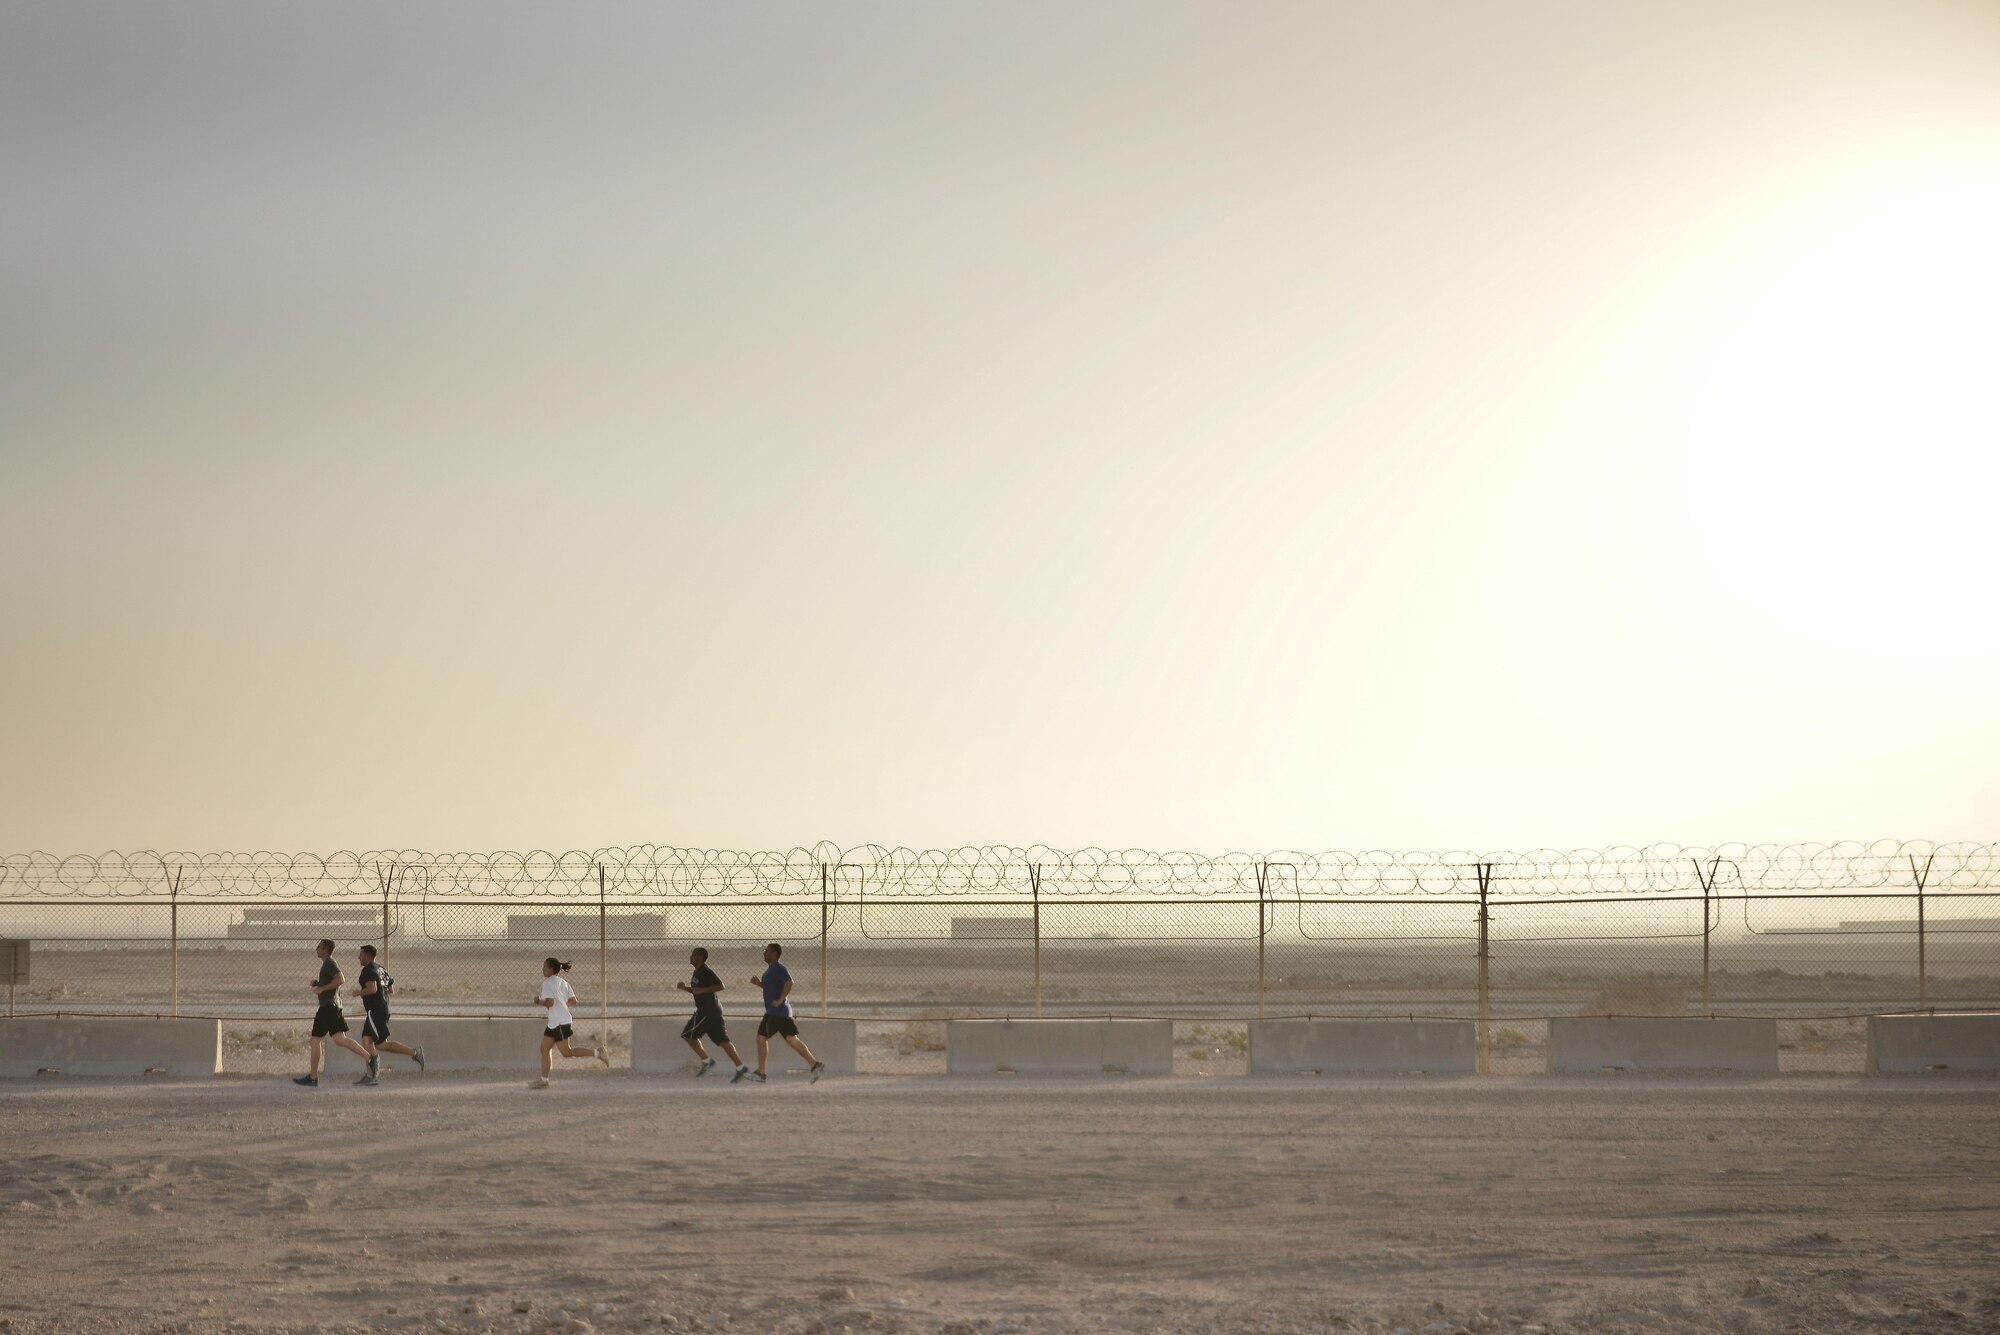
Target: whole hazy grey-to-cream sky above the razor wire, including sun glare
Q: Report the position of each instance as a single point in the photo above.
(1095, 425)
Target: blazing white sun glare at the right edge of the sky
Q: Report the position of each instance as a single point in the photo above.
(1849, 439)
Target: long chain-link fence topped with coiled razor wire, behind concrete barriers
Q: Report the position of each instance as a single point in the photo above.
(1817, 936)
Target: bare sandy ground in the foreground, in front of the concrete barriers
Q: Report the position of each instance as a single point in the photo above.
(911, 1206)
